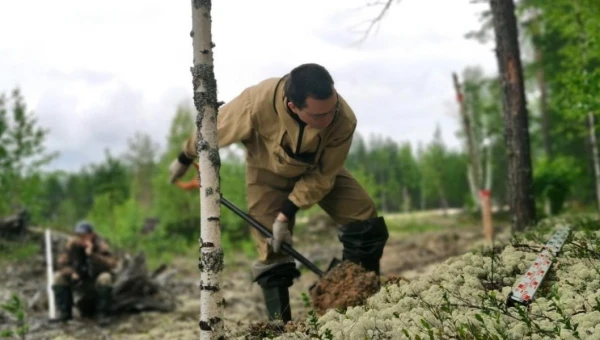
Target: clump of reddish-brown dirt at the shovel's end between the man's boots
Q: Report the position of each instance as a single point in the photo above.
(346, 285)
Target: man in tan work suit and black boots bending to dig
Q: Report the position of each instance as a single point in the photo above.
(297, 131)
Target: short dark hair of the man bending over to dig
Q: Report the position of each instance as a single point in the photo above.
(308, 80)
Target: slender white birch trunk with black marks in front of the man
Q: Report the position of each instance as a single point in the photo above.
(205, 101)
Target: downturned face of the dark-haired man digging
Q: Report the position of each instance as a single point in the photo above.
(318, 114)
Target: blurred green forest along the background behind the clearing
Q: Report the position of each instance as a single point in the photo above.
(129, 200)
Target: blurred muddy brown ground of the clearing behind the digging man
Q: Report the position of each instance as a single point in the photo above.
(406, 255)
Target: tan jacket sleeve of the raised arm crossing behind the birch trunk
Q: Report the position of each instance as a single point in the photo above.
(234, 124)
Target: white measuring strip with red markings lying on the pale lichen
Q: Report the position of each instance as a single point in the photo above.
(525, 289)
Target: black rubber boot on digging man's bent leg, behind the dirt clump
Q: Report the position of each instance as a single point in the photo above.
(364, 242)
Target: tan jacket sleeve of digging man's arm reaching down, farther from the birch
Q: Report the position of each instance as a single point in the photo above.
(314, 185)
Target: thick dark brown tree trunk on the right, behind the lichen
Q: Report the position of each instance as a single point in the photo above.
(520, 182)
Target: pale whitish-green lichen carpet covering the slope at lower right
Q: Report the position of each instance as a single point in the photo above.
(454, 299)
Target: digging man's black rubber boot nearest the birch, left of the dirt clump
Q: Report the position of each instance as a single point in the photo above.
(275, 283)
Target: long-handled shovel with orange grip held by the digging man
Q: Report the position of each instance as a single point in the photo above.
(194, 184)
